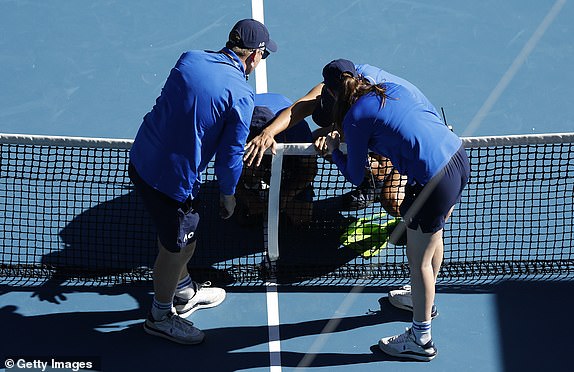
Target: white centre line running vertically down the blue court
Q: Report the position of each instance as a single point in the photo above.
(257, 11)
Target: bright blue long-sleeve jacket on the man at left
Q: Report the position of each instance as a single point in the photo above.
(204, 110)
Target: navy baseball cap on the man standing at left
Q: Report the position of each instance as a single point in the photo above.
(251, 34)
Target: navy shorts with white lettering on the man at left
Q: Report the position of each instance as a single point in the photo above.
(176, 222)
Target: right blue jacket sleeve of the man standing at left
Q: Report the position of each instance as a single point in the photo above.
(229, 157)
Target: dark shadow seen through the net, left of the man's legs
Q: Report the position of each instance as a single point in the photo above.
(110, 238)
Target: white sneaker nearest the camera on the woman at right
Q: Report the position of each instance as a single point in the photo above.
(405, 346)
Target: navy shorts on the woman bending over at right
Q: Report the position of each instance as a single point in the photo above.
(432, 202)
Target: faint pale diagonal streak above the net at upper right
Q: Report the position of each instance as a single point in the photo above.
(513, 69)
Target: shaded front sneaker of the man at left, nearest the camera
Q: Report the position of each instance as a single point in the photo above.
(174, 328)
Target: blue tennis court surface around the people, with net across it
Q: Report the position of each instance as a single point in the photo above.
(77, 248)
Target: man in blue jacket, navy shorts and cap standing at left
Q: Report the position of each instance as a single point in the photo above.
(204, 110)
